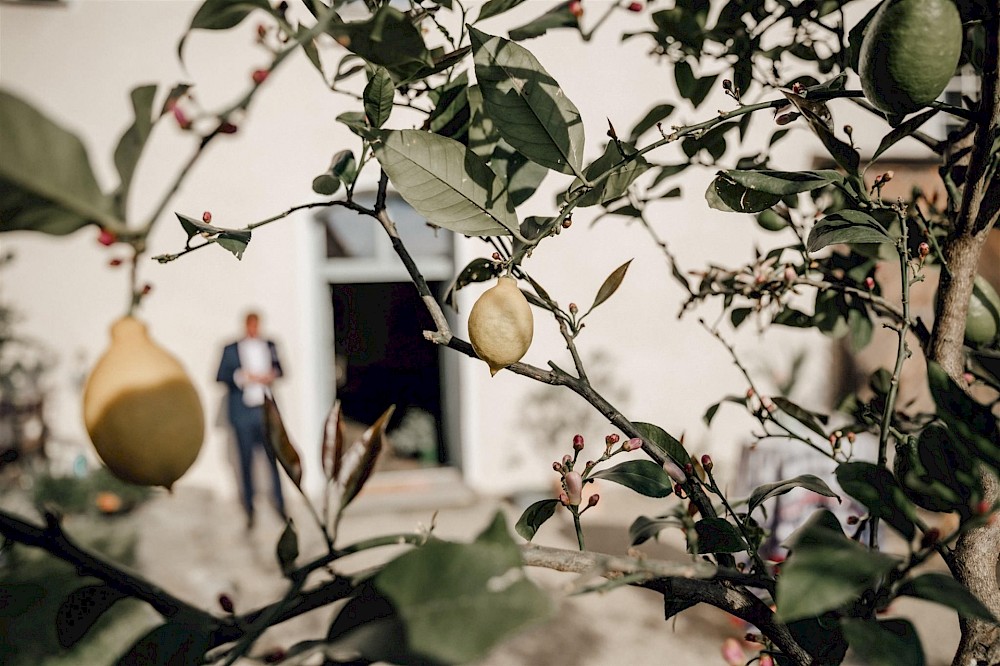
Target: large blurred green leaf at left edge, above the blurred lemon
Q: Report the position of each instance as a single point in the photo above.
(46, 182)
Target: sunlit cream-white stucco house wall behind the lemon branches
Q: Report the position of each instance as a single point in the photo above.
(78, 62)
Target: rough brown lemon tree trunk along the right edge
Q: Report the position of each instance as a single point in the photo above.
(976, 557)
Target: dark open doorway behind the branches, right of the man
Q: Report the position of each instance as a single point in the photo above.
(383, 359)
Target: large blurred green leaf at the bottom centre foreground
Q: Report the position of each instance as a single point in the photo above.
(437, 588)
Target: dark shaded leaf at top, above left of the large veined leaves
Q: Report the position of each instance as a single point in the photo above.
(388, 38)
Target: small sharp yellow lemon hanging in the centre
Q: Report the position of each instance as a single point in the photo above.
(501, 325)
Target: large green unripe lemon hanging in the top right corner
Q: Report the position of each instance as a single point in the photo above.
(909, 53)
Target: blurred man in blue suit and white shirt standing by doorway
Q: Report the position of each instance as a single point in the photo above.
(248, 368)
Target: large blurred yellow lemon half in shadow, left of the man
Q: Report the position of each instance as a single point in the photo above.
(141, 410)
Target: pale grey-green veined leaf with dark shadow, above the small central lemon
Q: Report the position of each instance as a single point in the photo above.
(445, 182)
